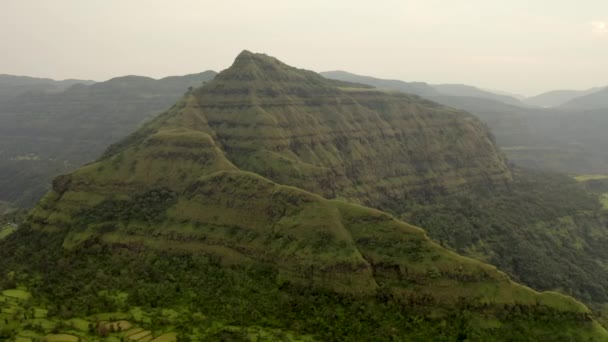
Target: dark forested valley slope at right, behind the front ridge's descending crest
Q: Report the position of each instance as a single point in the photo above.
(545, 231)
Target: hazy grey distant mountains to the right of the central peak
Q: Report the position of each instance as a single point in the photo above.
(567, 140)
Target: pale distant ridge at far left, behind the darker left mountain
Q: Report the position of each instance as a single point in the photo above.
(12, 86)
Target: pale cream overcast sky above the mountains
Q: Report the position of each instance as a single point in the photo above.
(510, 45)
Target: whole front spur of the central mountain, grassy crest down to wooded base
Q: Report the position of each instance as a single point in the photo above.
(168, 198)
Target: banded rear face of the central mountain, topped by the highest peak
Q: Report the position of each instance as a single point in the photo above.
(294, 127)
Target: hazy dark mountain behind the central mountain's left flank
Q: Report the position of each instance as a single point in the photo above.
(43, 134)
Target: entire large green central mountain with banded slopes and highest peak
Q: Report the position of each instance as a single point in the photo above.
(174, 230)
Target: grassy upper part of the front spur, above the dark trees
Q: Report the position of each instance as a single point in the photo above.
(204, 205)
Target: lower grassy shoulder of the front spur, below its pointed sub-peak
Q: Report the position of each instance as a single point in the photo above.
(239, 219)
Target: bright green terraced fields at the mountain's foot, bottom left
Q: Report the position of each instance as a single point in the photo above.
(31, 323)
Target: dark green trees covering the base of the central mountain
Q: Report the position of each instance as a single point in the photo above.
(213, 302)
